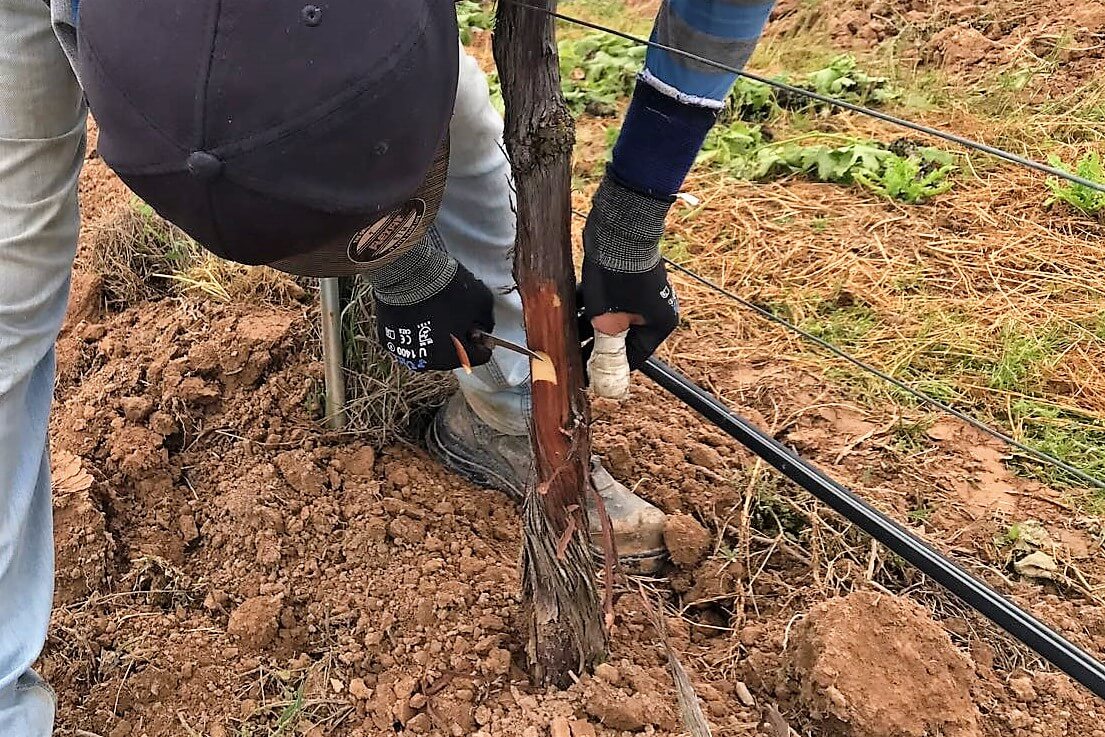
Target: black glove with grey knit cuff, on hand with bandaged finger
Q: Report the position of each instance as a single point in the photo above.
(623, 270)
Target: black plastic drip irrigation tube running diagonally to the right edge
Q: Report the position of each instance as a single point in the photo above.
(1053, 647)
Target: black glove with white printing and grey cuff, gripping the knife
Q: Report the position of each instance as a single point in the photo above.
(425, 298)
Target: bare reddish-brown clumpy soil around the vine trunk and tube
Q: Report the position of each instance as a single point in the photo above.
(227, 567)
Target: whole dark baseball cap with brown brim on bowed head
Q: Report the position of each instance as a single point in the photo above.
(309, 135)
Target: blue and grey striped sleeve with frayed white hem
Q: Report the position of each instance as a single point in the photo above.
(724, 31)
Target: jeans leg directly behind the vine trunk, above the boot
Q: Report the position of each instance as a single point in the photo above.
(477, 224)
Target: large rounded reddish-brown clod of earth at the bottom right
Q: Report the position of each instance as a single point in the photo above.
(876, 666)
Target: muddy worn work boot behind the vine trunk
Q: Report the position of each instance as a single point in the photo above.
(467, 446)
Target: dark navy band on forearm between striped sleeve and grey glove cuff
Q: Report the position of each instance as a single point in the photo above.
(659, 142)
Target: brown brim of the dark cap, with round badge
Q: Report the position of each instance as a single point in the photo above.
(381, 241)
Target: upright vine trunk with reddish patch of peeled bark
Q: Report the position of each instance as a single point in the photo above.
(567, 633)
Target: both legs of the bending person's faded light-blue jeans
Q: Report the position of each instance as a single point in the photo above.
(43, 135)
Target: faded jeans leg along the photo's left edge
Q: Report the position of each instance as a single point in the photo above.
(41, 151)
